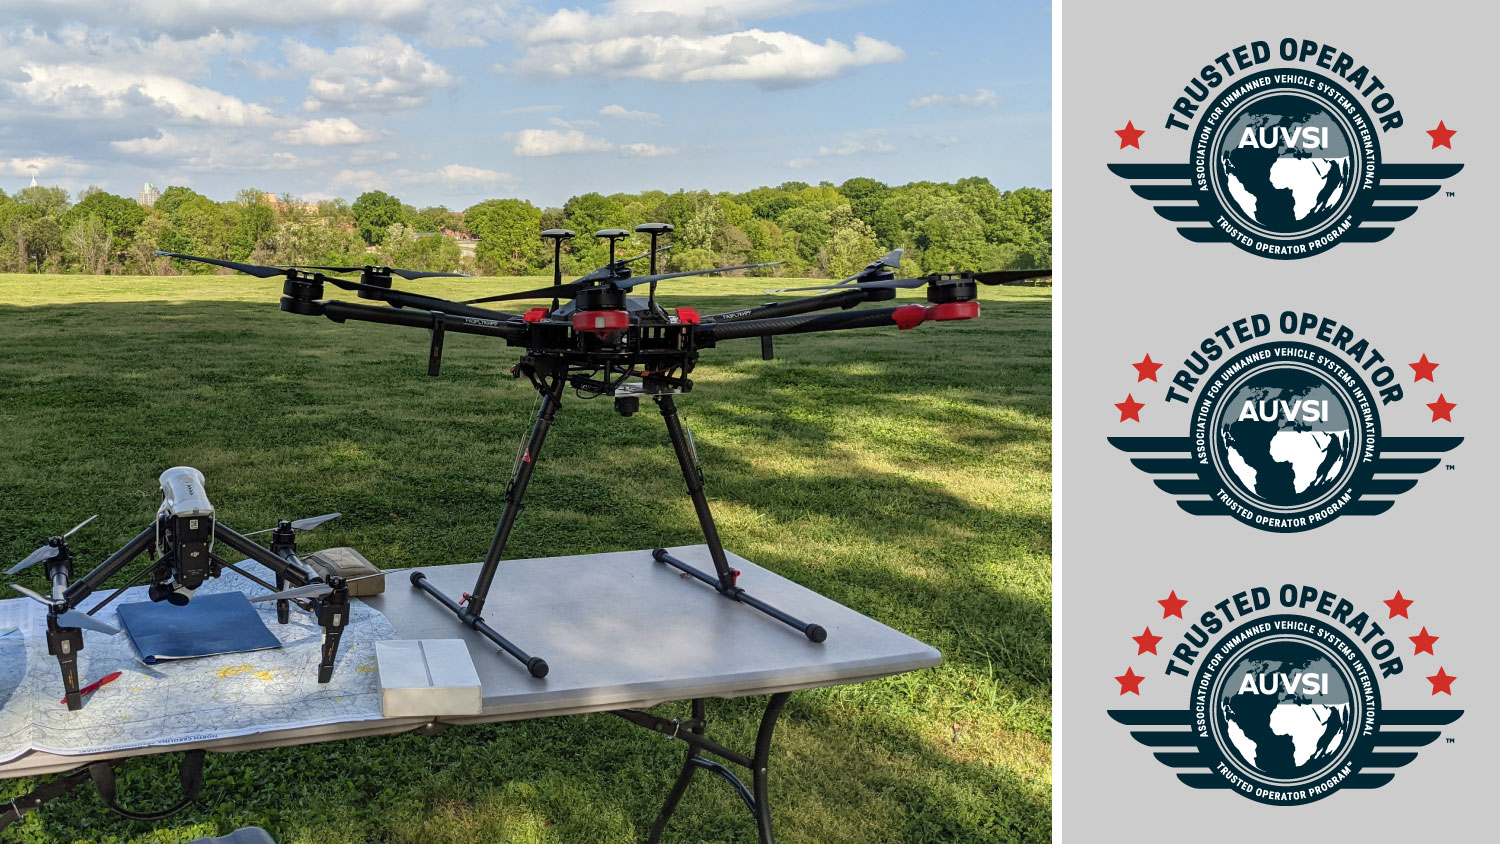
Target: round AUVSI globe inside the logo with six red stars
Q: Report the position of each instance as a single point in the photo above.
(1285, 711)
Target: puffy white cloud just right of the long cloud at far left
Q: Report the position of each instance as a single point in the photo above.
(385, 74)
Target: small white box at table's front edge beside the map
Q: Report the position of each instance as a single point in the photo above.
(427, 677)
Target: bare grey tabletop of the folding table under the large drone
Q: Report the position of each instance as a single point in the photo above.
(619, 630)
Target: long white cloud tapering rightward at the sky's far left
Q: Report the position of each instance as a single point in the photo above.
(85, 91)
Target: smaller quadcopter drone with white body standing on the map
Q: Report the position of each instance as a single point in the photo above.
(181, 543)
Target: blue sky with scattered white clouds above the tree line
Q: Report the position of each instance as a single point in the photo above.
(446, 103)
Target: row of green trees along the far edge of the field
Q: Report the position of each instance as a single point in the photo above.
(814, 230)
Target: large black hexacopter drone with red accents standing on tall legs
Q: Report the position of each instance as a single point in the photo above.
(608, 343)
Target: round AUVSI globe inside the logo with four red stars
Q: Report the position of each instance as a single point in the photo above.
(1286, 437)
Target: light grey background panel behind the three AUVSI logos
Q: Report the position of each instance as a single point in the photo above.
(1130, 286)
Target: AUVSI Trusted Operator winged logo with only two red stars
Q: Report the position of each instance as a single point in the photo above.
(1285, 154)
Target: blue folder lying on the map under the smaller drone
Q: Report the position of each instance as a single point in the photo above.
(221, 623)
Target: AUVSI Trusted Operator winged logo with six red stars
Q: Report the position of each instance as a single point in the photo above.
(1285, 696)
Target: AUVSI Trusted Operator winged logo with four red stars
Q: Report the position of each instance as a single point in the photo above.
(1285, 428)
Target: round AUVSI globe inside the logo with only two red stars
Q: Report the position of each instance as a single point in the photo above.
(1285, 166)
